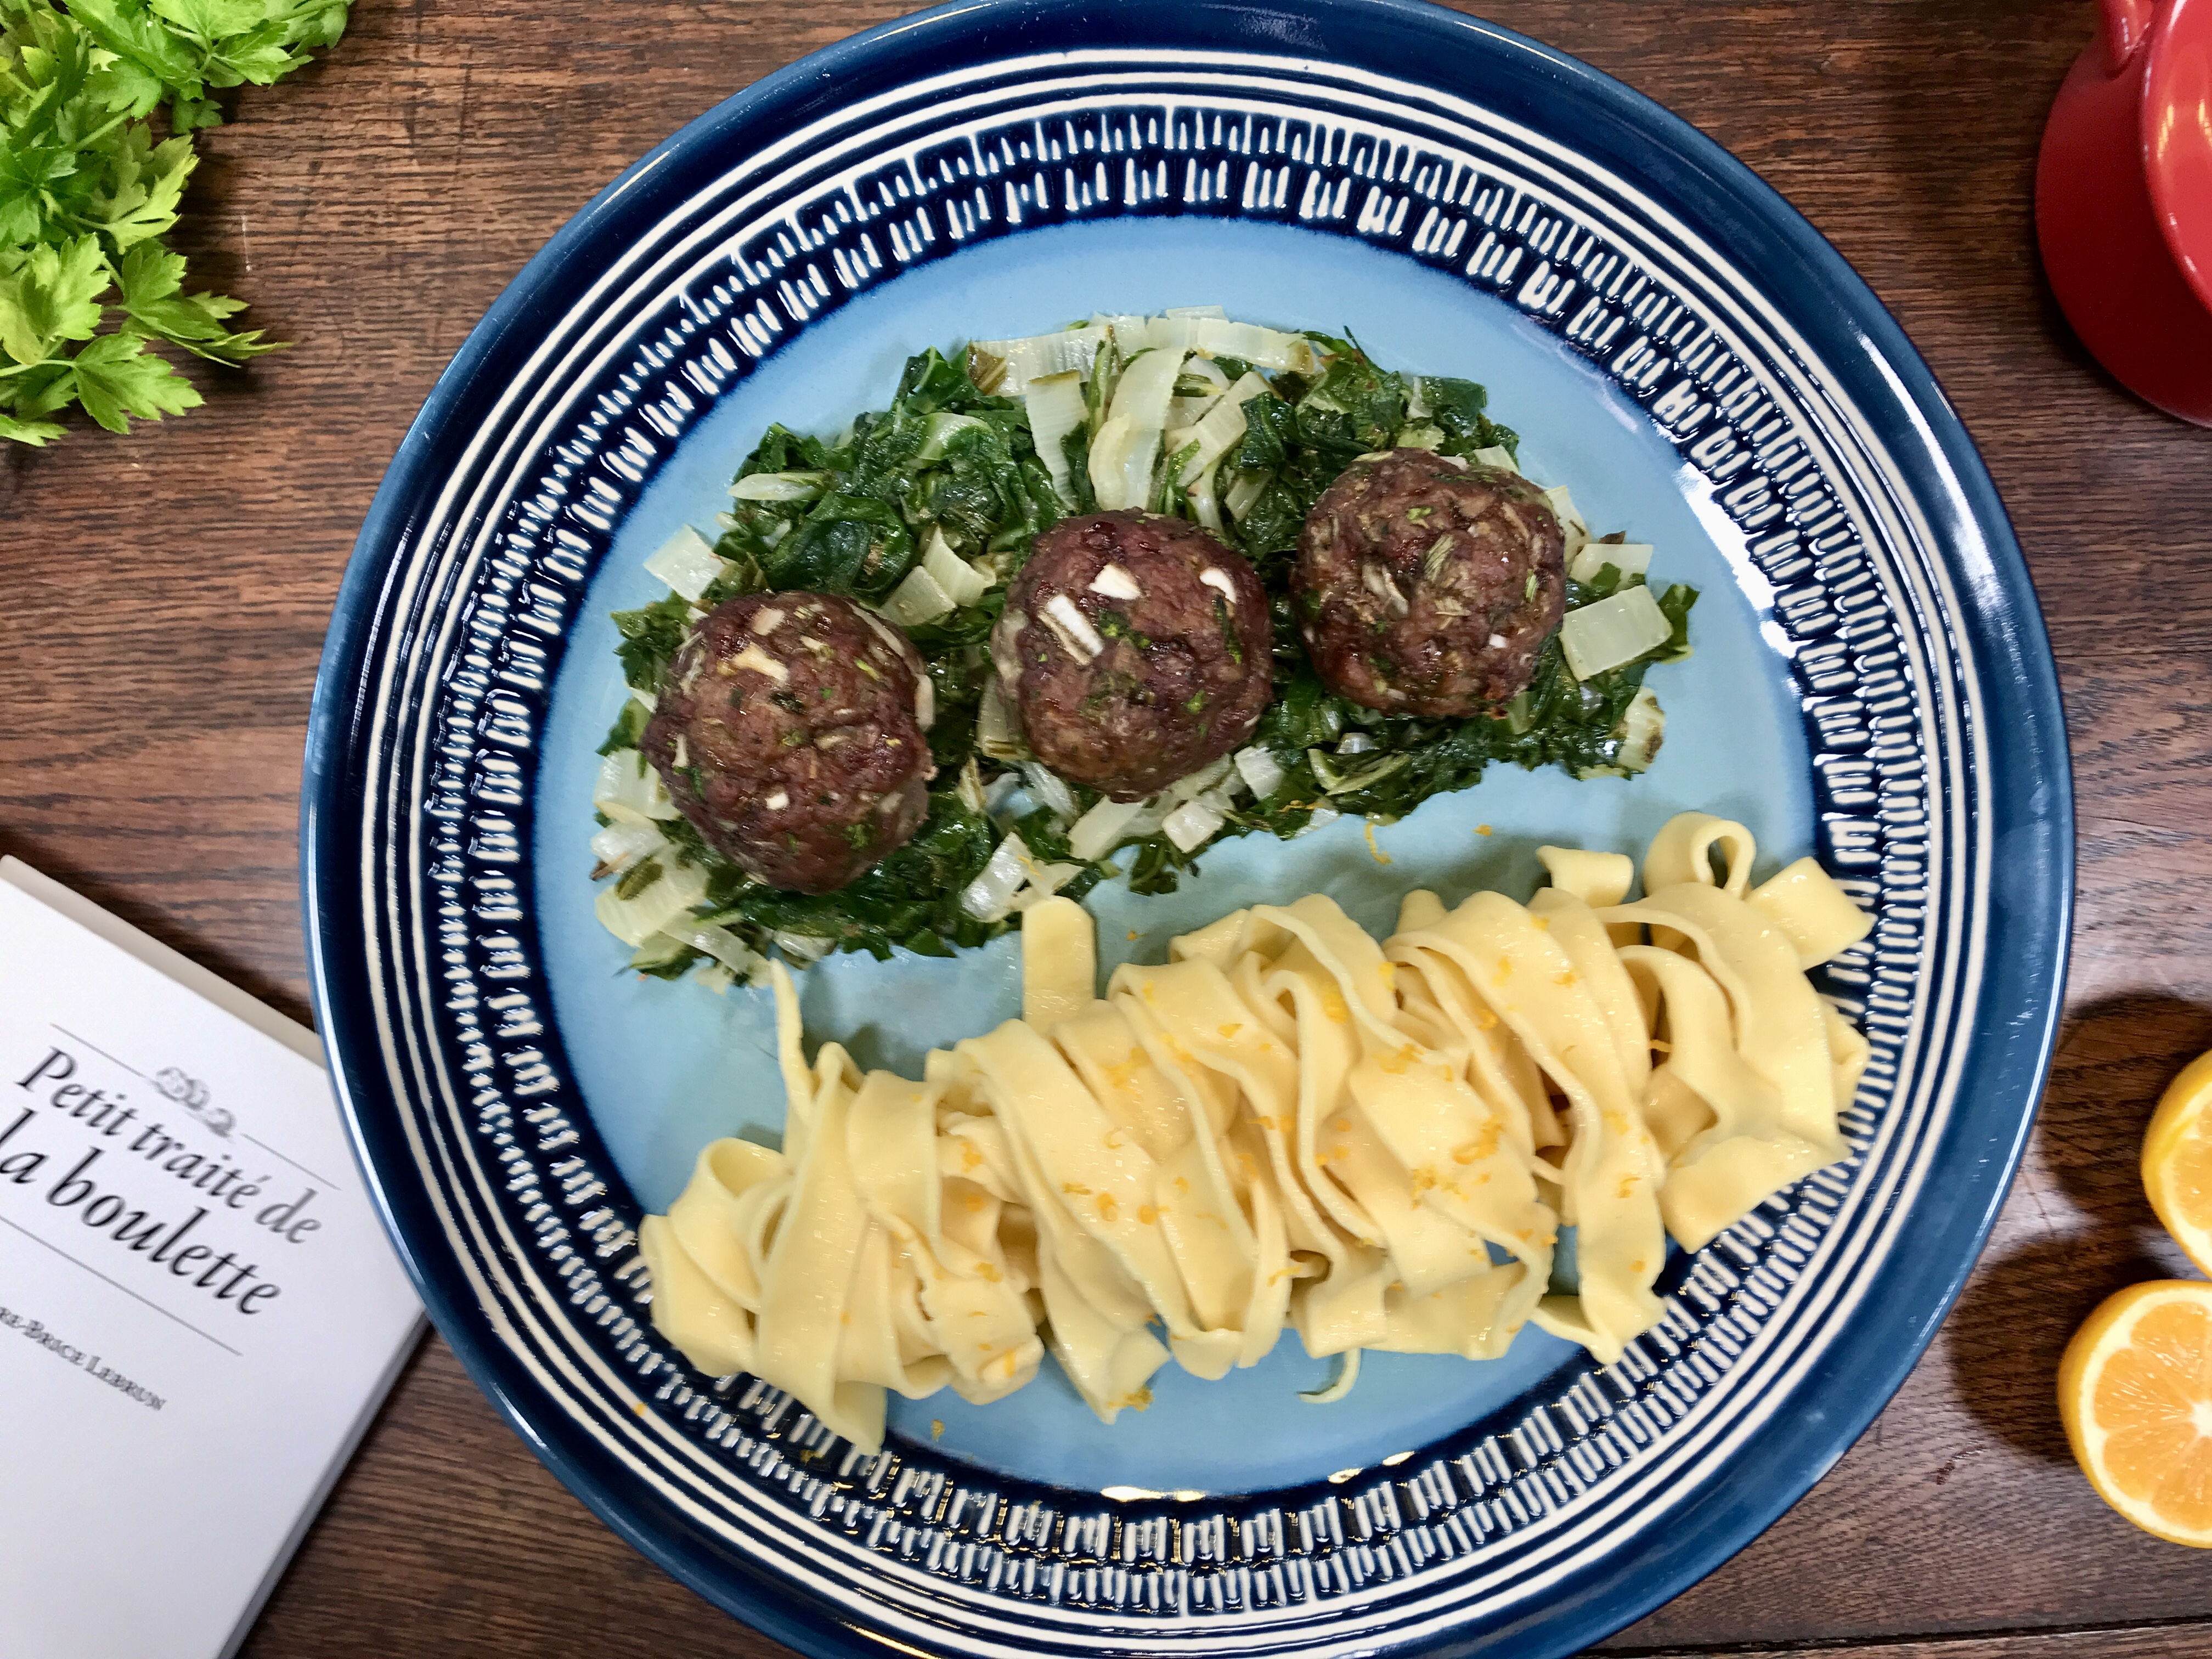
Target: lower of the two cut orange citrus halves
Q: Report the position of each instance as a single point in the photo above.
(2136, 1395)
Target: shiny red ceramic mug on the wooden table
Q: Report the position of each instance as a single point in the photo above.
(2125, 200)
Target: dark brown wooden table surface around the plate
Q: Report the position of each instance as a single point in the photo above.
(163, 605)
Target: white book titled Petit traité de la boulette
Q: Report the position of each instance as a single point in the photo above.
(198, 1304)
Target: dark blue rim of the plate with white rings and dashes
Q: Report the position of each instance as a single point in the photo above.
(1917, 647)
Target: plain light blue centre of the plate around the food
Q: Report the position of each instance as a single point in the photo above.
(671, 1067)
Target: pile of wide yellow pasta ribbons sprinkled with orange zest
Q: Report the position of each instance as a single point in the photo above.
(1284, 1127)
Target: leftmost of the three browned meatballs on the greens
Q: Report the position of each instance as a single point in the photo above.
(791, 733)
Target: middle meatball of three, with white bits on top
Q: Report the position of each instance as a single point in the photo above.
(1134, 649)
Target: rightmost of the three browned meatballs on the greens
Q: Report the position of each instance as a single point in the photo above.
(1428, 587)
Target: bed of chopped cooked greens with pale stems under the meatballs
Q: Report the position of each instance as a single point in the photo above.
(928, 508)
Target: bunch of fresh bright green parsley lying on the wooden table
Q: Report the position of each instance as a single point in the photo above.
(87, 194)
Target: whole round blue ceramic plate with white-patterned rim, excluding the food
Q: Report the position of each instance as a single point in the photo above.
(1671, 340)
